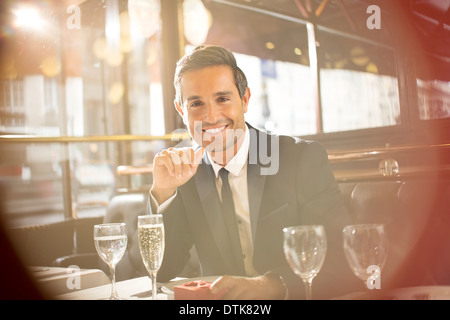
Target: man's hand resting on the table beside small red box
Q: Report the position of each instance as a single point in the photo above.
(257, 288)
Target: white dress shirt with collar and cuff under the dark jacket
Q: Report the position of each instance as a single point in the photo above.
(237, 177)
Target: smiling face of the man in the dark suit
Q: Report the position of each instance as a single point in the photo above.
(212, 109)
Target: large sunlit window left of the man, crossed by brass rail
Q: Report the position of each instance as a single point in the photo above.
(74, 74)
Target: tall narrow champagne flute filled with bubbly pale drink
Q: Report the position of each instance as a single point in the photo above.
(151, 245)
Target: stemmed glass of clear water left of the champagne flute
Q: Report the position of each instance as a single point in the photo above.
(111, 242)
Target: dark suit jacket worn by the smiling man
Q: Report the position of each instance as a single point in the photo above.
(289, 183)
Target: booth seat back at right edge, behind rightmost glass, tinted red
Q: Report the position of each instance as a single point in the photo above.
(416, 213)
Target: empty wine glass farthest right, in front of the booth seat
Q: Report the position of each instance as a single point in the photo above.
(366, 250)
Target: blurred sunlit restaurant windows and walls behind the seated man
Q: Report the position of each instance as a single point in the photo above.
(86, 92)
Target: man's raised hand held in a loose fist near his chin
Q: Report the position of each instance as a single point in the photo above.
(172, 168)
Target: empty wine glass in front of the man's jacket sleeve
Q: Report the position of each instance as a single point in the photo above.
(305, 248)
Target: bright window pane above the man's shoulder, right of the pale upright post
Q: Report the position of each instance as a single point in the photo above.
(359, 86)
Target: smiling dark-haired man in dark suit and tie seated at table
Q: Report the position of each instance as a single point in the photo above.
(275, 181)
